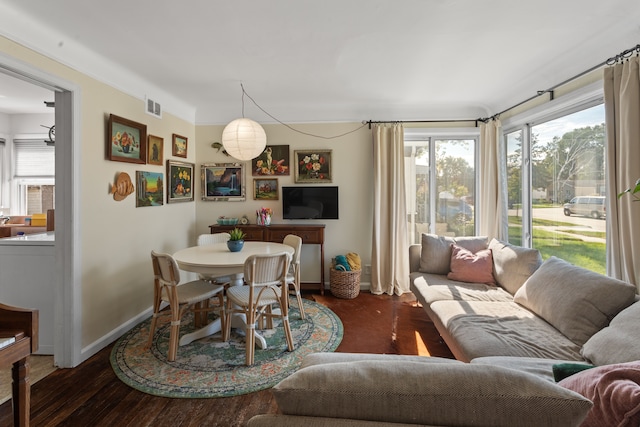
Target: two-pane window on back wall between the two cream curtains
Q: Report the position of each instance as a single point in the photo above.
(441, 183)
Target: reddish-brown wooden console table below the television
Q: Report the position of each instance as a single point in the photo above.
(312, 234)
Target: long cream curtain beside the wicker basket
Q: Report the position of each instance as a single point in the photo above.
(390, 249)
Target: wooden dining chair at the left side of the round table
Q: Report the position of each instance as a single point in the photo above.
(192, 296)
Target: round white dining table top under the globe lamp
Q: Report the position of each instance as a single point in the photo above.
(218, 259)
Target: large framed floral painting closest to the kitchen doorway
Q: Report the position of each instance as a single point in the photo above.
(126, 140)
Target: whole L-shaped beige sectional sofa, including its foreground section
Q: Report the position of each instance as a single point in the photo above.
(536, 317)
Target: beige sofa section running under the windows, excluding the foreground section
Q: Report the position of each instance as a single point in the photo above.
(536, 310)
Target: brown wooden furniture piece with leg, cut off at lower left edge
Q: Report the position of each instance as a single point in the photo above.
(18, 339)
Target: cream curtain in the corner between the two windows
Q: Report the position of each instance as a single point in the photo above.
(492, 201)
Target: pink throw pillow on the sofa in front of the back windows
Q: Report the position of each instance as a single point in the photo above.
(469, 267)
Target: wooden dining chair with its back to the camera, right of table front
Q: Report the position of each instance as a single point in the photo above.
(265, 276)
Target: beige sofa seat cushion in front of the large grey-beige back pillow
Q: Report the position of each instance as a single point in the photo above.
(481, 328)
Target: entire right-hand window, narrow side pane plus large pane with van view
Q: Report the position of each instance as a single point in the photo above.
(566, 198)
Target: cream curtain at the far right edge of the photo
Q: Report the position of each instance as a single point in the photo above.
(622, 109)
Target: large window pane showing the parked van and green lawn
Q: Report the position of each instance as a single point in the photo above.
(568, 161)
